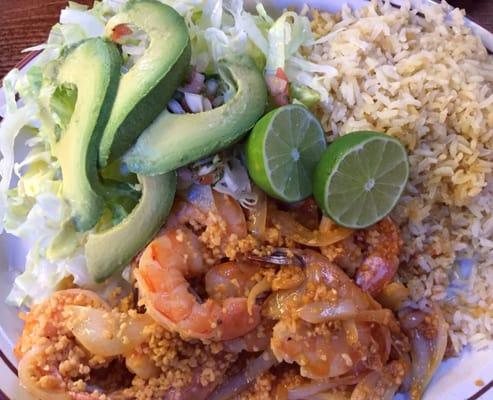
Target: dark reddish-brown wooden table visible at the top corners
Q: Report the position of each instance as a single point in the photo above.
(24, 23)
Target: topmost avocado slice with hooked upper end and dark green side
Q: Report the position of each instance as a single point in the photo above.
(148, 86)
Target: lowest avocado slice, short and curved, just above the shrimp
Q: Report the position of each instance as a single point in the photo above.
(109, 251)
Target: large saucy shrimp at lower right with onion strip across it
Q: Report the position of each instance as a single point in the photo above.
(325, 325)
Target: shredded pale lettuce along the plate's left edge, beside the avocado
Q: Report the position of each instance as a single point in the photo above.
(34, 210)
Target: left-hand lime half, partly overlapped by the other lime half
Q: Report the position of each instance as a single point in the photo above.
(283, 150)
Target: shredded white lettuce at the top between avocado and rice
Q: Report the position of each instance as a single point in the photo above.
(224, 27)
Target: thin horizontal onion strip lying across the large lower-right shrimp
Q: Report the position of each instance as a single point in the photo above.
(319, 312)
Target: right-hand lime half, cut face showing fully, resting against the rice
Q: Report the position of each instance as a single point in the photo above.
(360, 178)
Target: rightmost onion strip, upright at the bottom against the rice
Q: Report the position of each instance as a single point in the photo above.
(426, 353)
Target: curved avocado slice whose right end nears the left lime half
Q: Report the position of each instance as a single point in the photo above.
(174, 140)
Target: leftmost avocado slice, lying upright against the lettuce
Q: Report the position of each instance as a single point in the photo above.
(92, 70)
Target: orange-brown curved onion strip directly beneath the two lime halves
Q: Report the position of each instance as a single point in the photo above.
(298, 233)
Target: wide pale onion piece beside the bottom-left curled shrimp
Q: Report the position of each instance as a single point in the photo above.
(106, 333)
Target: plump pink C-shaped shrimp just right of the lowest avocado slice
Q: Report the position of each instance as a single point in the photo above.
(162, 275)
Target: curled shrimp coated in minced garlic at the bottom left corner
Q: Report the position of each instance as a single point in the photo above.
(47, 343)
